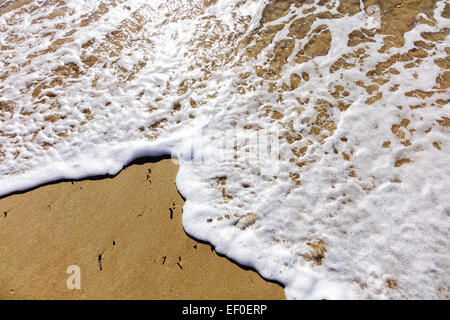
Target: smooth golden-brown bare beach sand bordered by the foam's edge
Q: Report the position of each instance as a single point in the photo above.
(126, 219)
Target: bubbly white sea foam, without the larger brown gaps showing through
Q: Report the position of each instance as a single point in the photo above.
(375, 229)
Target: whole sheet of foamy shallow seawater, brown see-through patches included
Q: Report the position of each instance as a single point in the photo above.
(312, 136)
